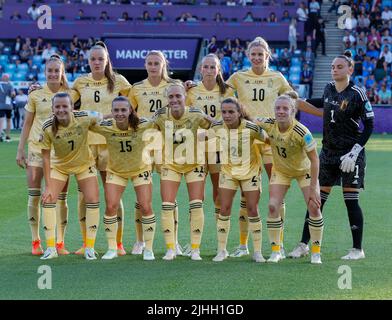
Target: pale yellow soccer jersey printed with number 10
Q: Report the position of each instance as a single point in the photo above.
(259, 92)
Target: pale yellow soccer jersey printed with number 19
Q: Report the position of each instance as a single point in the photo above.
(207, 100)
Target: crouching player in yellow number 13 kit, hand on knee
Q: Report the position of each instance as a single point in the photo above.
(294, 157)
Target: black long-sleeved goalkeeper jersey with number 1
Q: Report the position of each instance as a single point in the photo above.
(343, 112)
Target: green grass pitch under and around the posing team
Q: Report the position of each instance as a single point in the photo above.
(130, 277)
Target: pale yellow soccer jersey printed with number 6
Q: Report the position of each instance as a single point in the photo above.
(95, 96)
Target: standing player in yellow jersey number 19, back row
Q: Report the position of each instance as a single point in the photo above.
(207, 95)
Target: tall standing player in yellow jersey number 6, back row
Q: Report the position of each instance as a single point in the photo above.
(97, 91)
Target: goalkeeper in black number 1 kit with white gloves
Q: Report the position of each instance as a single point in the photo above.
(342, 157)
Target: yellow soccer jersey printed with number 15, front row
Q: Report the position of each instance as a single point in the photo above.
(125, 147)
